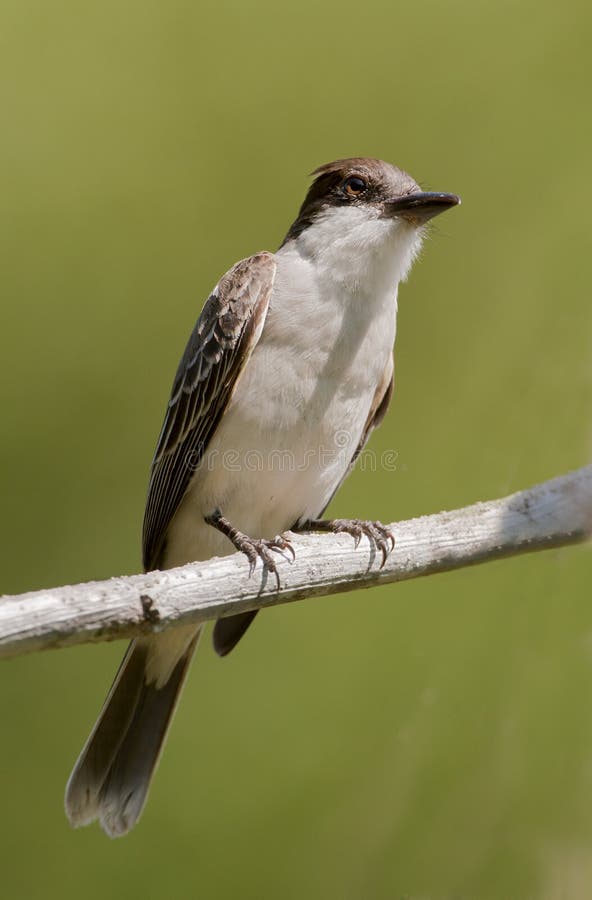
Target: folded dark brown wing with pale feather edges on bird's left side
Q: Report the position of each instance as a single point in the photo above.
(220, 345)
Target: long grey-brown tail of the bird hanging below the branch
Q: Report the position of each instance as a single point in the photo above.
(111, 778)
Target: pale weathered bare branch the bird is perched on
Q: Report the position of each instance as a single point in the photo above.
(553, 514)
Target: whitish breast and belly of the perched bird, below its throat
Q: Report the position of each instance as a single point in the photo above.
(298, 413)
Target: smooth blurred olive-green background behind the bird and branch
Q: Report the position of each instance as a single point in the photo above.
(428, 740)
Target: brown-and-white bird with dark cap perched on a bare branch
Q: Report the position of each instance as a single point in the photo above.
(288, 370)
